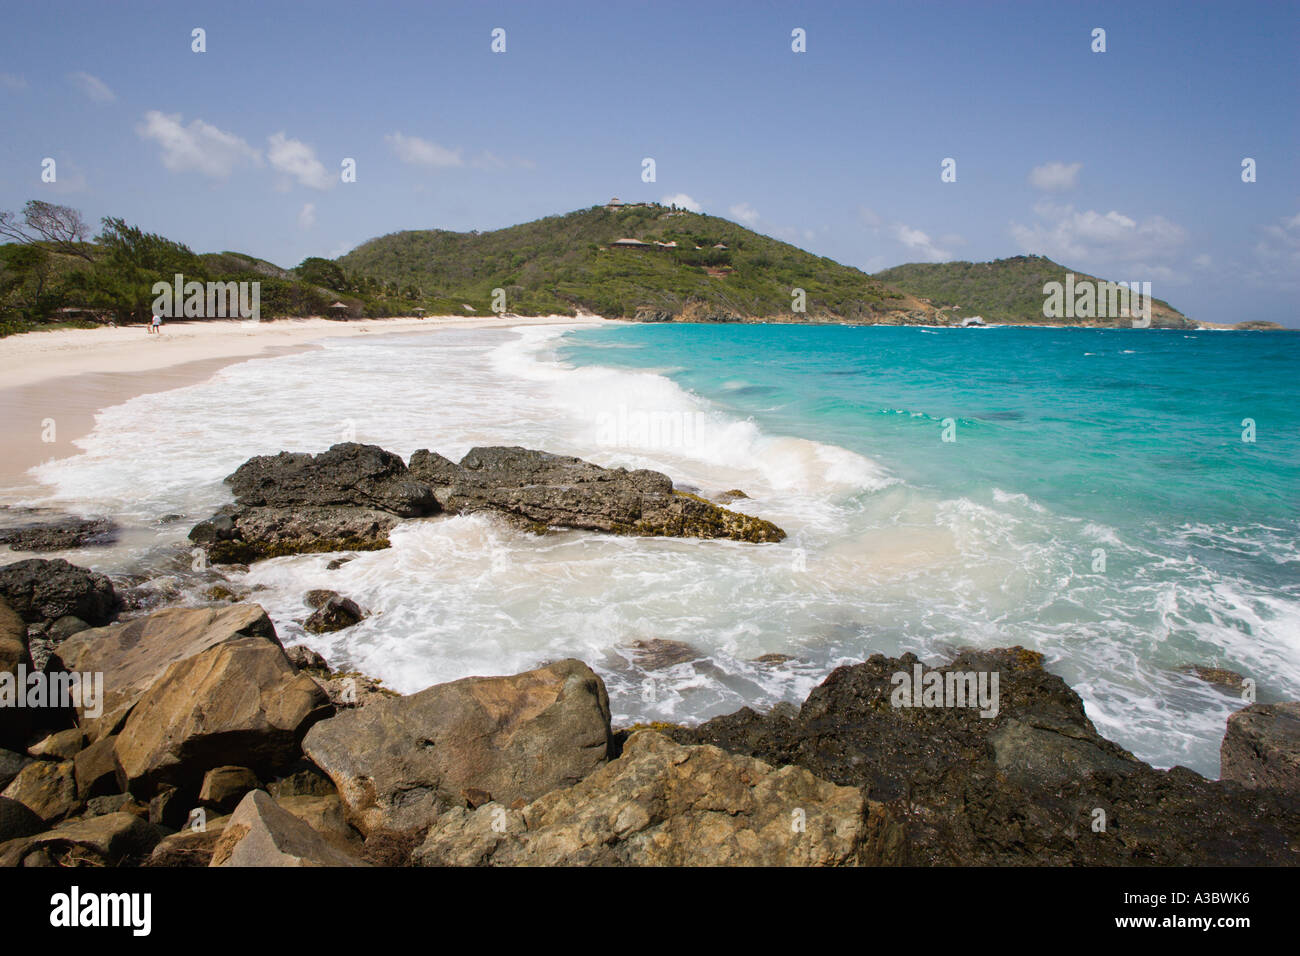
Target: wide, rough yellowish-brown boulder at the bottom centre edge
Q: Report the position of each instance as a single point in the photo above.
(662, 804)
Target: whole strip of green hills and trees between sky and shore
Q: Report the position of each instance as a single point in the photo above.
(640, 262)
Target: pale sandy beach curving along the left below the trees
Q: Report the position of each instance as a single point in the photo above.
(54, 383)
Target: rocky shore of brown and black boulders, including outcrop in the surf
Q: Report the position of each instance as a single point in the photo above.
(190, 737)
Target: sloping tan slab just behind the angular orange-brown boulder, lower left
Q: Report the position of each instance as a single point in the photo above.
(135, 655)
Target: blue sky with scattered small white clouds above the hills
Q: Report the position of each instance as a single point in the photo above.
(1126, 163)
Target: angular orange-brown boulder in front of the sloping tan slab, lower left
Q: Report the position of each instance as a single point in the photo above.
(237, 703)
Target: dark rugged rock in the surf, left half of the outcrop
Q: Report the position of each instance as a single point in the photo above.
(345, 499)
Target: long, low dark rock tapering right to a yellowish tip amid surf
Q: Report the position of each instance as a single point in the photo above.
(539, 491)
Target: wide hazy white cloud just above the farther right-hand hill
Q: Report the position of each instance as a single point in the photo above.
(1086, 236)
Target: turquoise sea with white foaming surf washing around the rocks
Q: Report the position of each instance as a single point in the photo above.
(1097, 504)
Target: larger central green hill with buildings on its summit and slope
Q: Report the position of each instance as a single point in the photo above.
(688, 269)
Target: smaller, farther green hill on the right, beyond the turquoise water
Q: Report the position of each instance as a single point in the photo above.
(1007, 292)
